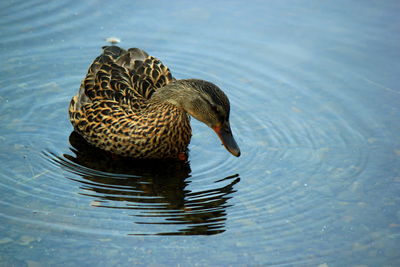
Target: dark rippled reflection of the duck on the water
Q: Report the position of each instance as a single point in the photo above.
(154, 189)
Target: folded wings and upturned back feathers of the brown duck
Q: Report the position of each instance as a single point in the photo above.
(123, 75)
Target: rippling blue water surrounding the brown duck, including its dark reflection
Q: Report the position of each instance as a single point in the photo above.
(315, 110)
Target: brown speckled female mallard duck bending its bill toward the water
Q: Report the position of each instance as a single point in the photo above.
(129, 104)
